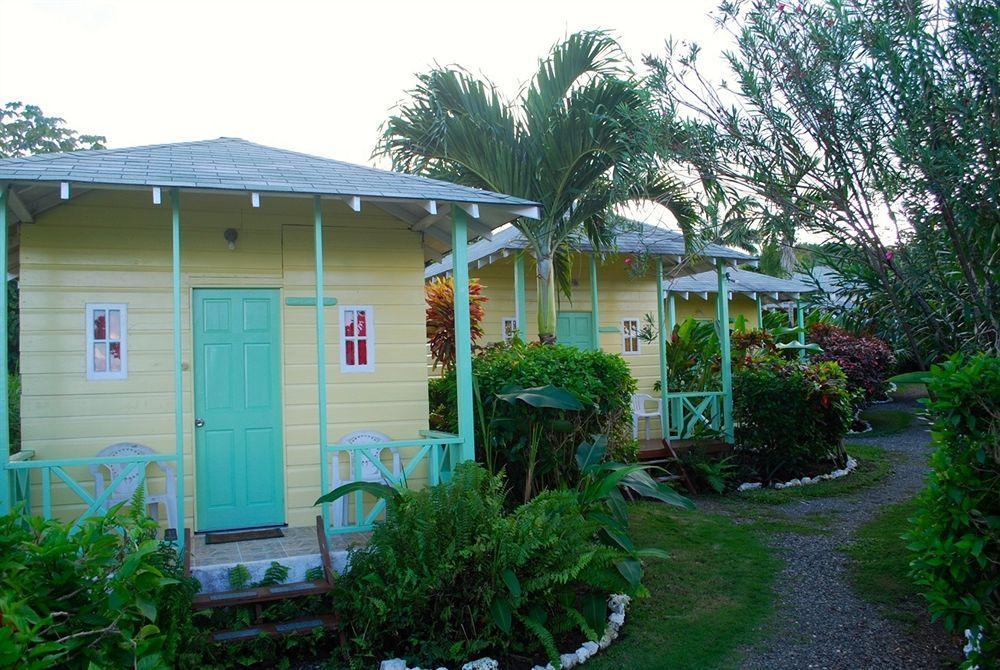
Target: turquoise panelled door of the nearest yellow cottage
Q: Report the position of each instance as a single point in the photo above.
(237, 403)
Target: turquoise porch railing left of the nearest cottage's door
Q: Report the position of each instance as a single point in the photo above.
(51, 471)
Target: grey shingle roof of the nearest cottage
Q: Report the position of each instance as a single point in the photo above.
(231, 163)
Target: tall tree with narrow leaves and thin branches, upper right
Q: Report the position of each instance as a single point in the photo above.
(872, 125)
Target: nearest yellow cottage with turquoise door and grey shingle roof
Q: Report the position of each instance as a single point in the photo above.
(172, 300)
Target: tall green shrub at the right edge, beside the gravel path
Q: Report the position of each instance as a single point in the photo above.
(956, 530)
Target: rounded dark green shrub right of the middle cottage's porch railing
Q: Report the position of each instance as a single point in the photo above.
(790, 417)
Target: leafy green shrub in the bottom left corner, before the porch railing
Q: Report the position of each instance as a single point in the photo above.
(108, 595)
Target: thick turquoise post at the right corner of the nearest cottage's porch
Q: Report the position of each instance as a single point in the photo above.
(463, 332)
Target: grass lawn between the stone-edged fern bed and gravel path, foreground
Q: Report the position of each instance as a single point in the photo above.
(708, 600)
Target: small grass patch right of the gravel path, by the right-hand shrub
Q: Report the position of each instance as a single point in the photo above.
(879, 562)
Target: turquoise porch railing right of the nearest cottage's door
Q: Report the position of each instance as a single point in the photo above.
(439, 451)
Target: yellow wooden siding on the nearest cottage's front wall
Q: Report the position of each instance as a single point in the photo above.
(115, 247)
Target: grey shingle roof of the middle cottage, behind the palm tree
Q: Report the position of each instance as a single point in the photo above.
(638, 238)
